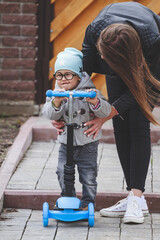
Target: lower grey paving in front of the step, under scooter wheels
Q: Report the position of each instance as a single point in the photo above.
(20, 224)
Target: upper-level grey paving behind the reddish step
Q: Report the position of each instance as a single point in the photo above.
(37, 169)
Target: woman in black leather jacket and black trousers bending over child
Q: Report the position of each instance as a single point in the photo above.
(123, 42)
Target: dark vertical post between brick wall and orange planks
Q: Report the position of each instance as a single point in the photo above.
(45, 15)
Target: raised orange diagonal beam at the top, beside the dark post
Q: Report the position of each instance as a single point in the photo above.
(67, 16)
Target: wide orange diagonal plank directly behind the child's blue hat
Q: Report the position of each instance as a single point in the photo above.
(73, 35)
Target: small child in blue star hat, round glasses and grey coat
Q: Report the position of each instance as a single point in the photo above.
(69, 76)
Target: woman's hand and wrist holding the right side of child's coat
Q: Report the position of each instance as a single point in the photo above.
(97, 124)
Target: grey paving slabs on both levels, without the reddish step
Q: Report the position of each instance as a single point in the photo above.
(36, 172)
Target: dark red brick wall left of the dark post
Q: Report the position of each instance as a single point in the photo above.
(18, 52)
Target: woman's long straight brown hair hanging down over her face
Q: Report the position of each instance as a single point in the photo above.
(120, 46)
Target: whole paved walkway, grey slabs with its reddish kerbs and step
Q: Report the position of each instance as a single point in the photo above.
(28, 178)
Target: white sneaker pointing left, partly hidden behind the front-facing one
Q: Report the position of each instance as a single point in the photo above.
(119, 209)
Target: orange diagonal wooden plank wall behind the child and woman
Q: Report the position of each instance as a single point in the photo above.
(69, 25)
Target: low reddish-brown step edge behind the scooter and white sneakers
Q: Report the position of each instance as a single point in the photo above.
(34, 199)
